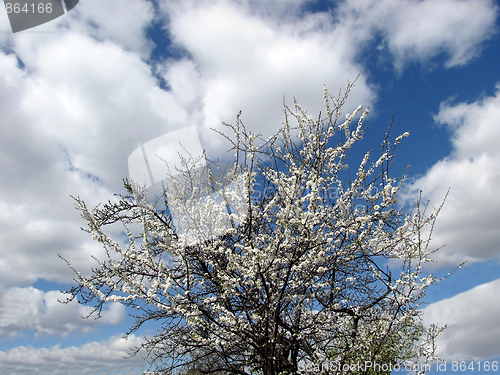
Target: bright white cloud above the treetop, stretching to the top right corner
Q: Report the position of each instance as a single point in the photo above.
(251, 53)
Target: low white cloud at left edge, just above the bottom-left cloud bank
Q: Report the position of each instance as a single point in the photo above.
(24, 309)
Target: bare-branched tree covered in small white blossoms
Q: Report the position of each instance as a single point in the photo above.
(311, 267)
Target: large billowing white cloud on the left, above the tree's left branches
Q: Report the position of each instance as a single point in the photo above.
(69, 124)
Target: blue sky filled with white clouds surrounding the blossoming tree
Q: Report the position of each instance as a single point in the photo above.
(80, 93)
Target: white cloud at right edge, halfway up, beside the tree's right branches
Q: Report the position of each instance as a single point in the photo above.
(468, 223)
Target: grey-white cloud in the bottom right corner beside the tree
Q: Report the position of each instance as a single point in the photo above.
(472, 318)
